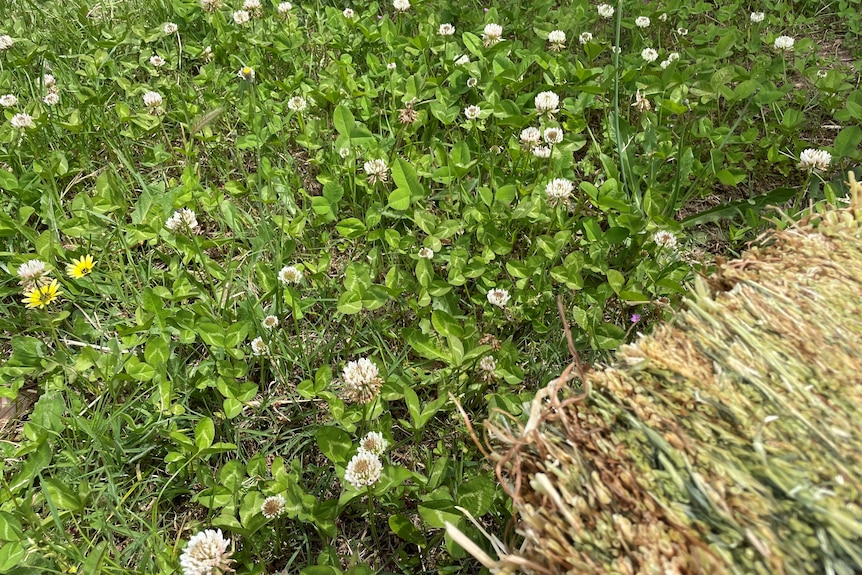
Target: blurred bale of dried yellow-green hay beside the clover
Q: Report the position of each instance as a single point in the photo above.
(729, 441)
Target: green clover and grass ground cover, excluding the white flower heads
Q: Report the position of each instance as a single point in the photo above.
(154, 420)
